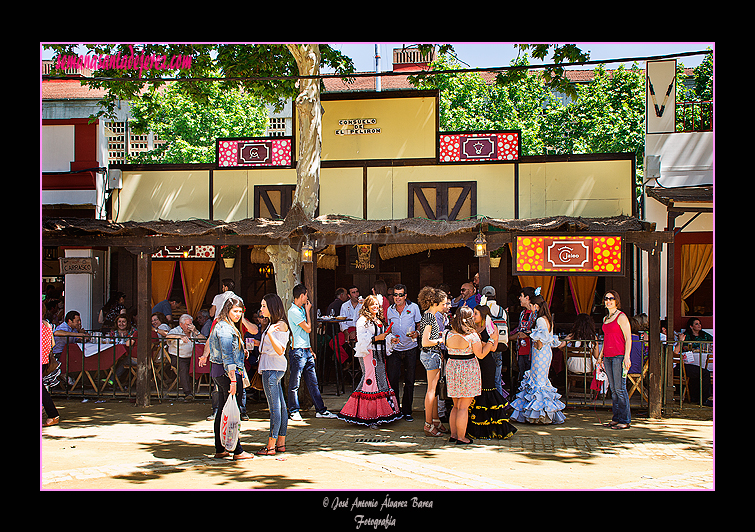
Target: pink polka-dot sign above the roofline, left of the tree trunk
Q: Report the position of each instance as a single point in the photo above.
(254, 152)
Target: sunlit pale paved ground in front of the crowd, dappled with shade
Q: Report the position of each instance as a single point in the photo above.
(114, 445)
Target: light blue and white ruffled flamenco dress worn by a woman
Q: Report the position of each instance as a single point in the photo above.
(537, 400)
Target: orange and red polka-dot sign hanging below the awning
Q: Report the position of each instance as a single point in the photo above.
(540, 255)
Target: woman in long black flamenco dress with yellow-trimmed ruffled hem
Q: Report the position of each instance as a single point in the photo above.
(488, 417)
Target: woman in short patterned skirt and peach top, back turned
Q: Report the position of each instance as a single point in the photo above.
(463, 377)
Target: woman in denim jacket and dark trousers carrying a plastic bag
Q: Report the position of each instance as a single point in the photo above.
(226, 354)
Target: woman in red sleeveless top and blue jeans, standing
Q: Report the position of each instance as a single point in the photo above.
(616, 358)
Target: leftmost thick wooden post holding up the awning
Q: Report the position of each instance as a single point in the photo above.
(144, 324)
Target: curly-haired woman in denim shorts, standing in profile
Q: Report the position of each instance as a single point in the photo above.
(431, 301)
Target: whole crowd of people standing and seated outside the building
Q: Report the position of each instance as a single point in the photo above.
(458, 340)
